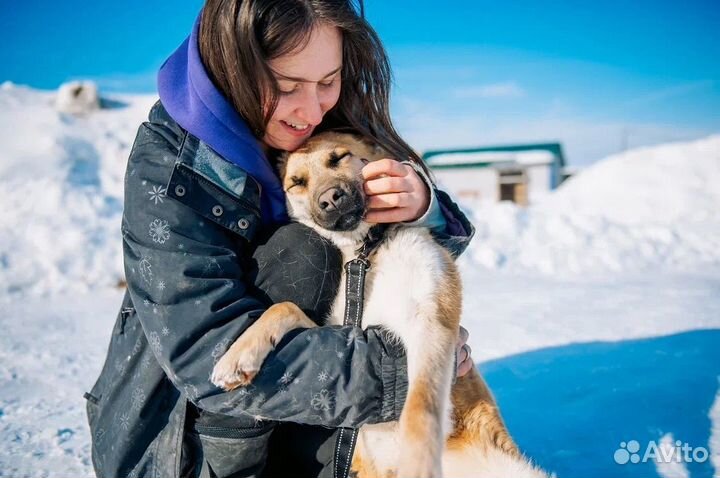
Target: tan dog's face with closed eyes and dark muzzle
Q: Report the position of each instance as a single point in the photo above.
(323, 181)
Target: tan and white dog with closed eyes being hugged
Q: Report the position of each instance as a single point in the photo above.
(444, 429)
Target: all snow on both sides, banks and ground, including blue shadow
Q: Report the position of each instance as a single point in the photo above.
(593, 314)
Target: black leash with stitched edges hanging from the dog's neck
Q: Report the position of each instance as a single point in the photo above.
(355, 272)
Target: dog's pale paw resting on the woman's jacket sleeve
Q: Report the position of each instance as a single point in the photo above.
(238, 367)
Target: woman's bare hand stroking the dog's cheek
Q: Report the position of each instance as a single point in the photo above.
(396, 192)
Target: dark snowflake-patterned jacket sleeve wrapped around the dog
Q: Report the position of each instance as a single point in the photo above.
(188, 285)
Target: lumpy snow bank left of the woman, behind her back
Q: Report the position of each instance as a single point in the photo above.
(61, 183)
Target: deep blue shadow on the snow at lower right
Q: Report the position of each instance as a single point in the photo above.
(570, 407)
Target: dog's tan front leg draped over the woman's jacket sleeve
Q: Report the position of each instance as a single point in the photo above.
(239, 365)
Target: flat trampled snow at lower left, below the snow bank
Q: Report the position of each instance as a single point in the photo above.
(50, 352)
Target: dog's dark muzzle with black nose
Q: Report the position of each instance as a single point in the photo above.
(341, 207)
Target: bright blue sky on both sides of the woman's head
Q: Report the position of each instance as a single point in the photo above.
(598, 76)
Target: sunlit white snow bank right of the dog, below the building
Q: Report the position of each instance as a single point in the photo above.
(655, 208)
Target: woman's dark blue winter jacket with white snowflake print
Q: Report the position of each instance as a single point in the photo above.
(191, 219)
